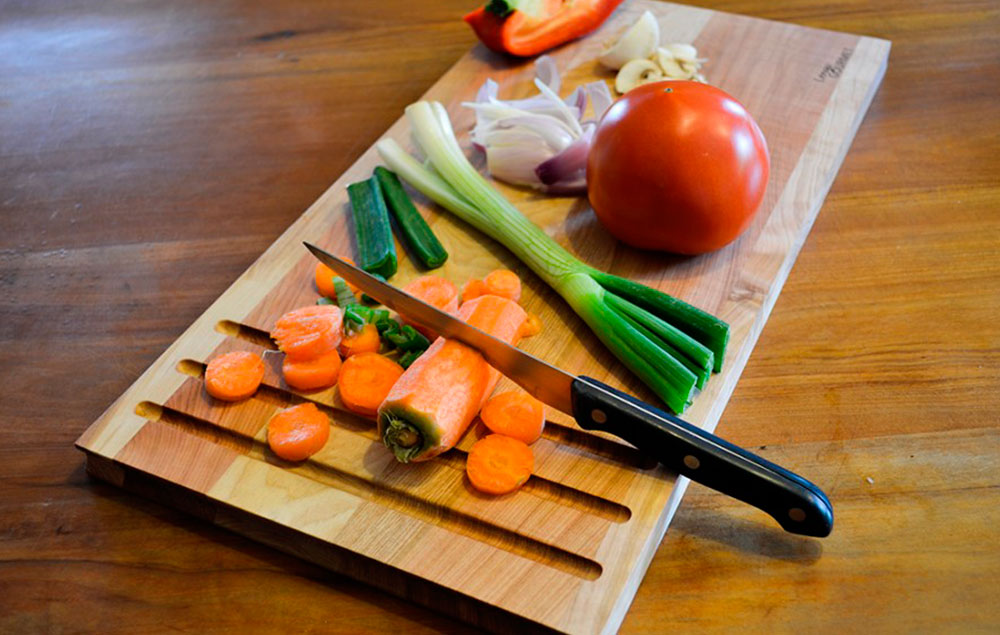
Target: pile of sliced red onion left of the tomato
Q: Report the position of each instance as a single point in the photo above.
(541, 141)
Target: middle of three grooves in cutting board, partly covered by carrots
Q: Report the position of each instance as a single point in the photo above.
(537, 486)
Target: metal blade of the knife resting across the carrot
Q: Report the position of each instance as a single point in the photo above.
(544, 381)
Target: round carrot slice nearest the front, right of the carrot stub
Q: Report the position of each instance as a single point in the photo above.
(499, 464)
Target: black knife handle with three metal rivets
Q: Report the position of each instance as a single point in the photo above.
(799, 506)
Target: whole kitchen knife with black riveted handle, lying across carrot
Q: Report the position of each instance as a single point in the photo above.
(796, 504)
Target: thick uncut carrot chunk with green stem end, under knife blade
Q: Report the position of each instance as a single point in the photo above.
(439, 395)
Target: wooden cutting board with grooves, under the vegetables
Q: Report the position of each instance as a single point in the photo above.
(568, 551)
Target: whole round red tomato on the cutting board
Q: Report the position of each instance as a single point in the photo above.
(677, 166)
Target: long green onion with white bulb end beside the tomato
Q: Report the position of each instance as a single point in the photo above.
(666, 342)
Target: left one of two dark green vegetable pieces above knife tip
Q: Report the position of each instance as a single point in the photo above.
(376, 249)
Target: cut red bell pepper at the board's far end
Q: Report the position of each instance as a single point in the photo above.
(530, 27)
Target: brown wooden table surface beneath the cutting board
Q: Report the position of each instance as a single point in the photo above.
(149, 151)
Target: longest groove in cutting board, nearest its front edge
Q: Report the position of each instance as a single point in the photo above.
(384, 495)
